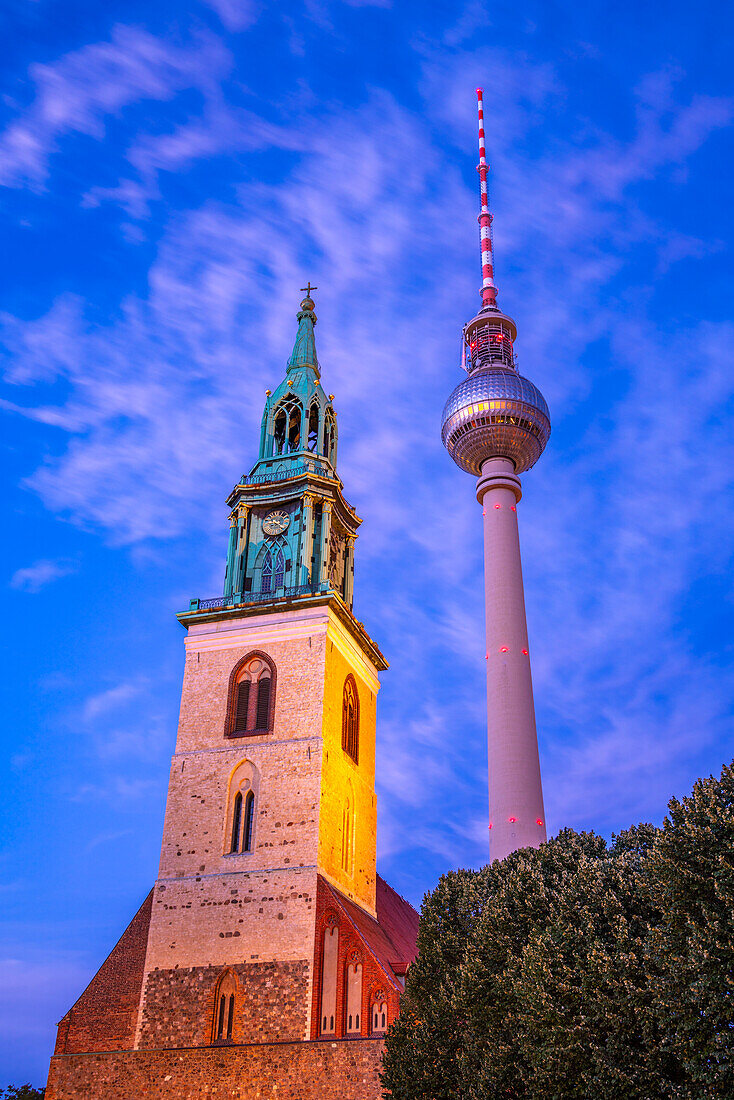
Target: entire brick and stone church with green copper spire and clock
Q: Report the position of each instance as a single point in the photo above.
(269, 938)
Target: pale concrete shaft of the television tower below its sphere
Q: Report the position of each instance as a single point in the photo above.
(517, 811)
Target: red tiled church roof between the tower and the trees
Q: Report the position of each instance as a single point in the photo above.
(392, 938)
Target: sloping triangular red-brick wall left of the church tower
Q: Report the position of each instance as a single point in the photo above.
(106, 1016)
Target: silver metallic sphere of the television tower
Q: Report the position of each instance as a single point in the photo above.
(496, 413)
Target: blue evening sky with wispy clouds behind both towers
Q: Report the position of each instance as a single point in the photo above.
(171, 175)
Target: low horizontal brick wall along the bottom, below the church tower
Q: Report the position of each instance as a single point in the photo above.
(331, 1071)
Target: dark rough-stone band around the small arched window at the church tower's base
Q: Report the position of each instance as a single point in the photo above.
(271, 1005)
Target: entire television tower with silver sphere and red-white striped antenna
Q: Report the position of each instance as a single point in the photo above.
(496, 425)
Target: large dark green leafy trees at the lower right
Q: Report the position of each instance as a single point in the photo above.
(580, 970)
